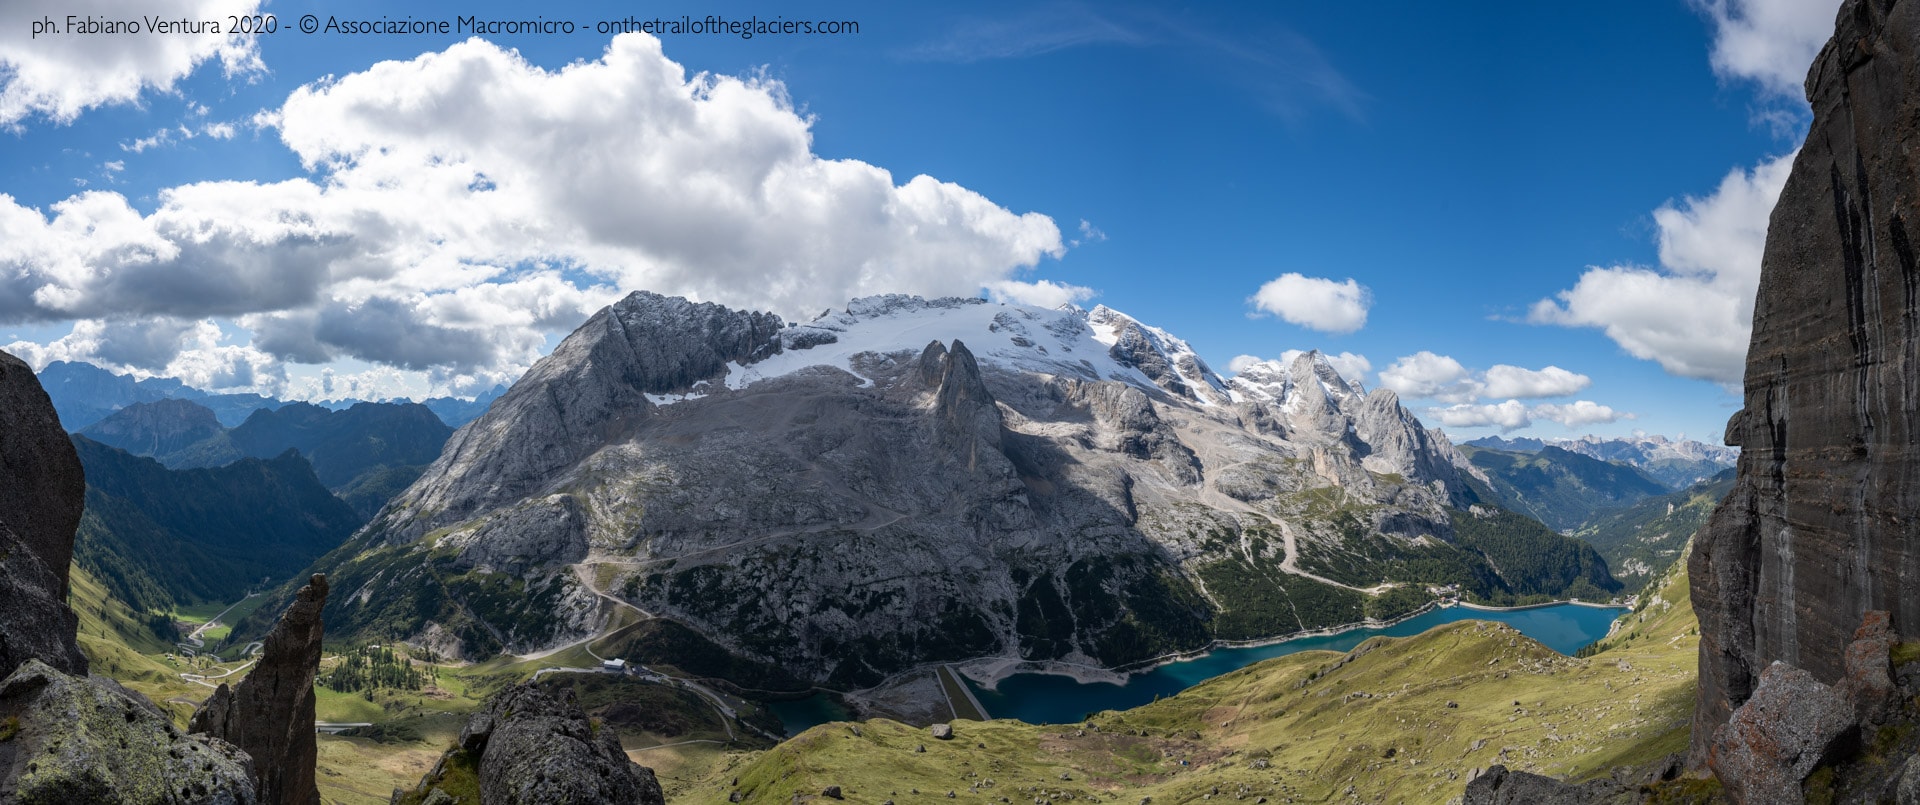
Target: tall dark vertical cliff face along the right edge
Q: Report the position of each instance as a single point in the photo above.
(1821, 525)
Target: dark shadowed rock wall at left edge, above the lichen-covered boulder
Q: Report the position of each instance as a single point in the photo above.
(41, 495)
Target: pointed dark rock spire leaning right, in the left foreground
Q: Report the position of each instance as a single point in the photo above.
(270, 714)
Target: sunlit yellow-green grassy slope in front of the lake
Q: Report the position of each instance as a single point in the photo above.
(1376, 720)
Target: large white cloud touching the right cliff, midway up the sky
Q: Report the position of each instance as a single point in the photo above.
(1694, 314)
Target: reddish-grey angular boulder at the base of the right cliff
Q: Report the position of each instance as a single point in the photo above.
(1779, 737)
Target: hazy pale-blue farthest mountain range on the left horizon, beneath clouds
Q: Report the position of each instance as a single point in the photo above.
(85, 395)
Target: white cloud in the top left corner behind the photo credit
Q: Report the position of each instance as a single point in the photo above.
(64, 74)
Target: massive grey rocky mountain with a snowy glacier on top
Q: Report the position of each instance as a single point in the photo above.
(926, 481)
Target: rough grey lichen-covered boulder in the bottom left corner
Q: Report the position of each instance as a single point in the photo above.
(89, 741)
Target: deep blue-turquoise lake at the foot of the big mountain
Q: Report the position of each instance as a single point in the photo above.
(1061, 700)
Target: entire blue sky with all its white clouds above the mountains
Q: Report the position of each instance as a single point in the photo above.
(1456, 201)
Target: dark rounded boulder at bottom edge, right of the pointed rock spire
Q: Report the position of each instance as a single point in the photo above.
(531, 748)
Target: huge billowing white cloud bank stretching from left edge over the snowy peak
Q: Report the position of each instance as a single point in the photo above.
(468, 205)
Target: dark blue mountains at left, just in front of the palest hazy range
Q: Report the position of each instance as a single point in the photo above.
(364, 454)
